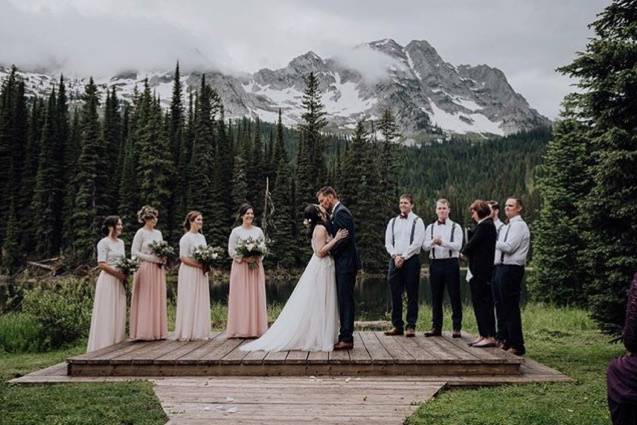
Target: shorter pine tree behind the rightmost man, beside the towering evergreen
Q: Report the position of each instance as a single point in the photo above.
(558, 276)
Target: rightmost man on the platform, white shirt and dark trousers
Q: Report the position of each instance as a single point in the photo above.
(512, 248)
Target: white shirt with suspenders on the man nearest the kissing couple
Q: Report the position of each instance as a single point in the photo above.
(402, 236)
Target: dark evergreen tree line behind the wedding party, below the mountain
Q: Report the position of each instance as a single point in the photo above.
(71, 163)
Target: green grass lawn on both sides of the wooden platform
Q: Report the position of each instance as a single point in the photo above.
(565, 339)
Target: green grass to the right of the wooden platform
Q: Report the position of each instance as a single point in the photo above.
(562, 338)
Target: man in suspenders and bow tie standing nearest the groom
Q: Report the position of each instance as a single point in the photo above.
(403, 240)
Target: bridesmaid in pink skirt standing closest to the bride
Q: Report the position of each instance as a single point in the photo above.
(247, 314)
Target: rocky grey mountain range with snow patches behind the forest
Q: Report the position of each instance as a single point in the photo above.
(425, 93)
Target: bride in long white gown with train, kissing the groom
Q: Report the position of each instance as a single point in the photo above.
(309, 319)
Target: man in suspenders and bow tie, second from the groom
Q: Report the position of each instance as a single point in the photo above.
(443, 240)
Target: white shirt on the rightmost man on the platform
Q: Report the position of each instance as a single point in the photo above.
(513, 243)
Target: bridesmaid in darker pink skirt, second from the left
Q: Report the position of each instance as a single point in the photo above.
(148, 318)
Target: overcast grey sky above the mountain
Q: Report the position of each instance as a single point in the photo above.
(527, 39)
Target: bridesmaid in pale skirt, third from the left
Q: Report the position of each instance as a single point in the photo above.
(193, 293)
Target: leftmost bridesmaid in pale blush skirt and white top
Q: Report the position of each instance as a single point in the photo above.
(108, 321)
